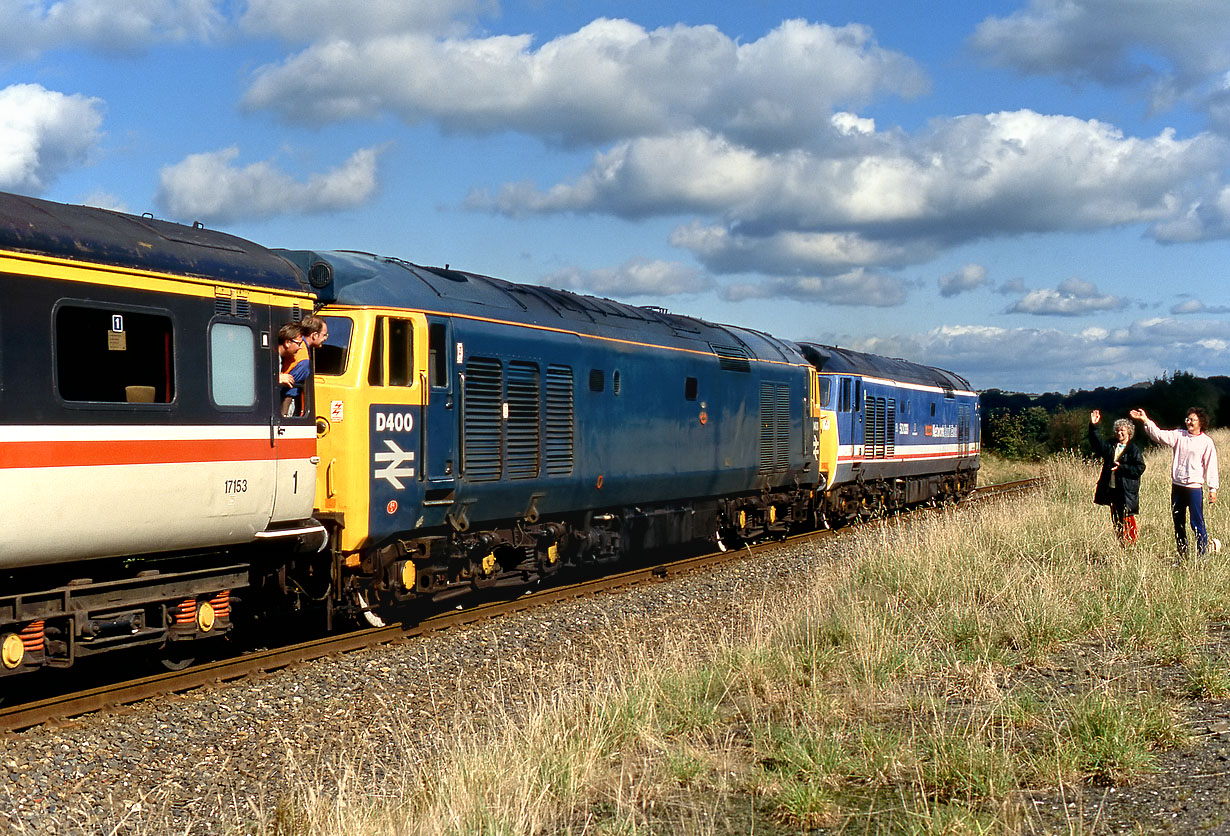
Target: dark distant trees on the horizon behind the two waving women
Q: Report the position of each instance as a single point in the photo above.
(1036, 426)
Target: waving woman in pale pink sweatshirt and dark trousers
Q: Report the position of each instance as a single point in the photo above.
(1195, 465)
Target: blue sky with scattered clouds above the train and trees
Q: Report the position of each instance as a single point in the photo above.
(1034, 194)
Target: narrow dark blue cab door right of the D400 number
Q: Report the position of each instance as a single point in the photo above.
(440, 425)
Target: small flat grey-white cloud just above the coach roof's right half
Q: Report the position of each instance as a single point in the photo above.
(211, 187)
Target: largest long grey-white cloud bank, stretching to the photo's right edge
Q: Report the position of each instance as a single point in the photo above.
(891, 200)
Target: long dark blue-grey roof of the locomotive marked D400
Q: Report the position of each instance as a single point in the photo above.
(365, 280)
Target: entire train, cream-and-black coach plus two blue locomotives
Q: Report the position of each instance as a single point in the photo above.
(462, 432)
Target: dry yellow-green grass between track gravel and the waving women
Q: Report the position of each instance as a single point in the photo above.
(934, 680)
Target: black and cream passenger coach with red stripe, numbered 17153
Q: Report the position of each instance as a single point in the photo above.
(141, 449)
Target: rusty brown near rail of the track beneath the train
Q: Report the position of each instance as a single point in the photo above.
(106, 698)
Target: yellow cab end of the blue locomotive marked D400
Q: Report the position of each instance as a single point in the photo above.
(378, 390)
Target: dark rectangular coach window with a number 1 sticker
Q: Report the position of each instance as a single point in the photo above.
(114, 356)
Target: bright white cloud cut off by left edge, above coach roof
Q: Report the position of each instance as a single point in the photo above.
(44, 133)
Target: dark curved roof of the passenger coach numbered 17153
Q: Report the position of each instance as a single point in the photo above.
(114, 238)
